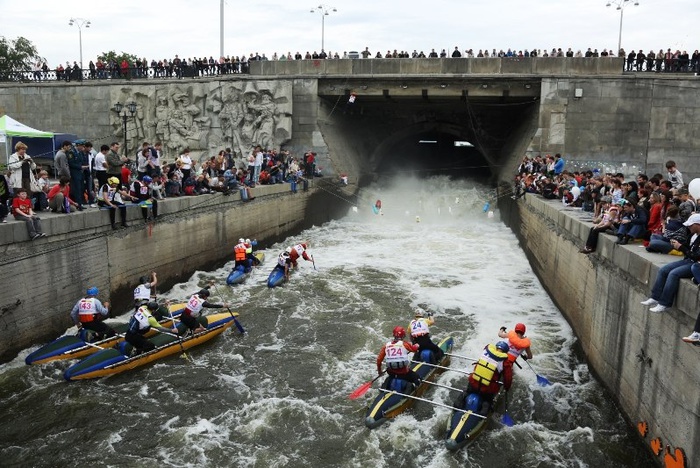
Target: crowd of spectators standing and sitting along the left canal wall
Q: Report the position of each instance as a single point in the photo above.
(108, 179)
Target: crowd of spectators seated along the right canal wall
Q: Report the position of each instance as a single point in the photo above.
(657, 211)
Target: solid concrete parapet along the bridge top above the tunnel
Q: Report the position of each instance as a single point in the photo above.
(540, 66)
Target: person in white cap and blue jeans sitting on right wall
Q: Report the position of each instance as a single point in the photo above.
(668, 278)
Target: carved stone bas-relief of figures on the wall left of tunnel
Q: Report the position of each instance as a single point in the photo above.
(207, 117)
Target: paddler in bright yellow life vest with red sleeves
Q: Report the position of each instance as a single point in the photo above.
(492, 370)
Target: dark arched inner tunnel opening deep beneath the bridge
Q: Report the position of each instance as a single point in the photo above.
(433, 153)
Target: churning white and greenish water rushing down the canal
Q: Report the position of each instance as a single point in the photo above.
(278, 396)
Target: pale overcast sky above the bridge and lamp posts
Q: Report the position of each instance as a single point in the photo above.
(162, 28)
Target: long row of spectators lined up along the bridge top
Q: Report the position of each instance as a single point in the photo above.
(636, 60)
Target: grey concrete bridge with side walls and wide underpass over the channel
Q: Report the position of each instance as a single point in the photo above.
(584, 108)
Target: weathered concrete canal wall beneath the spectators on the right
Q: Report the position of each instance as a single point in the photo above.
(637, 354)
